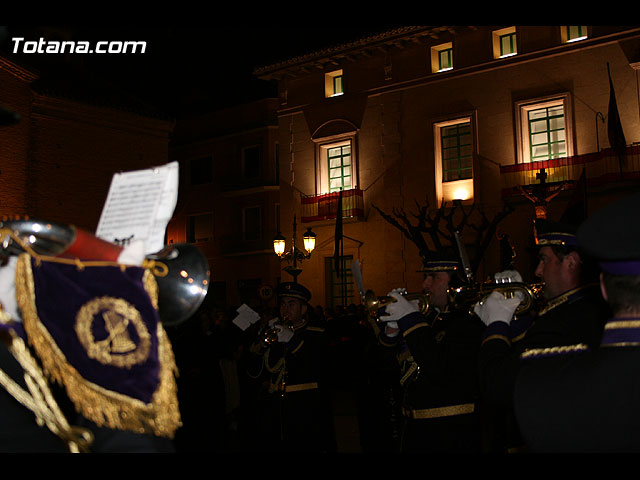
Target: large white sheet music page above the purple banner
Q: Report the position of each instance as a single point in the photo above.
(139, 205)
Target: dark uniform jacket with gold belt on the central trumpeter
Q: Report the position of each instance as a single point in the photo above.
(440, 382)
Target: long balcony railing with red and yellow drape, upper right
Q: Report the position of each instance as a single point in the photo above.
(601, 168)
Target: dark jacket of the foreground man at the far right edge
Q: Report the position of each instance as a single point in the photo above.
(585, 402)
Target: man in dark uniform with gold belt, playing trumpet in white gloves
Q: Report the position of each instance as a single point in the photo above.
(438, 353)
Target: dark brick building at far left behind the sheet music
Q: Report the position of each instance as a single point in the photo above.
(57, 161)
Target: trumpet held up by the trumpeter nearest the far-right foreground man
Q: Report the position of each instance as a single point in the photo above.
(468, 295)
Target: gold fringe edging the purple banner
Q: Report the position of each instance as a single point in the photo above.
(107, 408)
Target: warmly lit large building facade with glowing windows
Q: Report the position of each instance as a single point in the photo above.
(442, 116)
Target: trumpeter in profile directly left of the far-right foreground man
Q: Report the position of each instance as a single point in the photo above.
(572, 315)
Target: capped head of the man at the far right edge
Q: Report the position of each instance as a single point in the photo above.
(611, 236)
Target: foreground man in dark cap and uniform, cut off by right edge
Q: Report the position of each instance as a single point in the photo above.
(587, 400)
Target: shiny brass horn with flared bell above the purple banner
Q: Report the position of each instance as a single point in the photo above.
(182, 281)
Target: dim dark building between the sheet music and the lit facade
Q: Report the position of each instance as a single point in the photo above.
(229, 199)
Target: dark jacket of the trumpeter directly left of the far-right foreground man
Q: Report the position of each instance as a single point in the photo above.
(571, 320)
